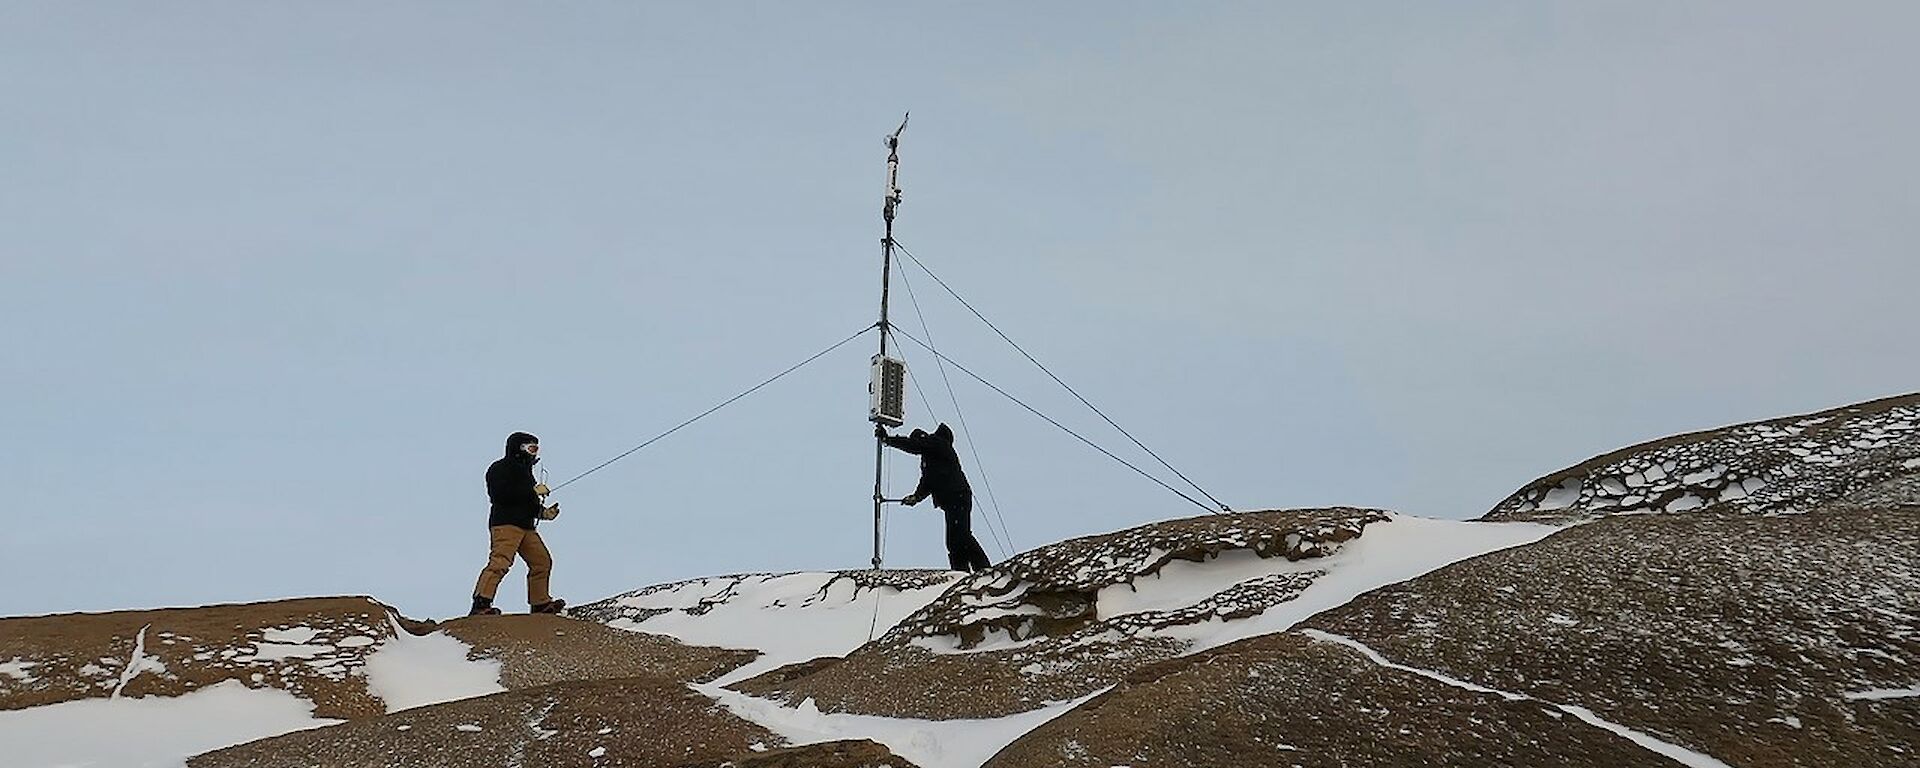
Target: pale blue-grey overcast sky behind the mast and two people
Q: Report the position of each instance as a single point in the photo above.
(279, 279)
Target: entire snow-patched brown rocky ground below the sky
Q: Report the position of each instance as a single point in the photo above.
(1731, 598)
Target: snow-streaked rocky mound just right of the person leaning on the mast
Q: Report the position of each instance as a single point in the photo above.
(1070, 619)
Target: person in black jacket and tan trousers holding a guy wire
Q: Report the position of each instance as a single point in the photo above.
(517, 506)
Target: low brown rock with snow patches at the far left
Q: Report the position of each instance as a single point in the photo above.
(197, 679)
